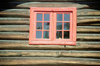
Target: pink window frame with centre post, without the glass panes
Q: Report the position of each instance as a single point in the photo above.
(52, 37)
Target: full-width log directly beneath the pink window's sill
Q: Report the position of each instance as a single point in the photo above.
(23, 44)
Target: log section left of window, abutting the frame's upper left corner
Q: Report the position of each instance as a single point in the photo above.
(14, 12)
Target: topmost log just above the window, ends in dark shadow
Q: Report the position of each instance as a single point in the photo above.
(50, 4)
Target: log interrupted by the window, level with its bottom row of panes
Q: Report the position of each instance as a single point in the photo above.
(25, 35)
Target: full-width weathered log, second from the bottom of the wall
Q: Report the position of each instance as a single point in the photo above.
(49, 53)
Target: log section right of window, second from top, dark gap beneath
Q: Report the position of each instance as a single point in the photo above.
(88, 21)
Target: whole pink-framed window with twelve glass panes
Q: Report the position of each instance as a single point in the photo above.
(52, 26)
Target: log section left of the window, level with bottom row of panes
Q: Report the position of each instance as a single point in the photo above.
(14, 35)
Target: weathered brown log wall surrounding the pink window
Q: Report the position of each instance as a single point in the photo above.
(14, 35)
